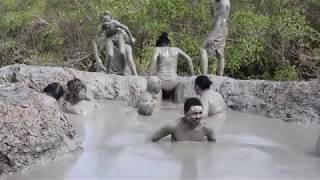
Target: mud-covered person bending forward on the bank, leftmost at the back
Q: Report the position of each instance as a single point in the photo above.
(115, 36)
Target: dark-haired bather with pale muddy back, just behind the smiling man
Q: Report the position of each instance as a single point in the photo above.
(212, 101)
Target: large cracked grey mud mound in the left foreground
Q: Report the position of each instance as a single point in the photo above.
(32, 128)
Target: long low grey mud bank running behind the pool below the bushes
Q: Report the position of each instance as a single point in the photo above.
(291, 101)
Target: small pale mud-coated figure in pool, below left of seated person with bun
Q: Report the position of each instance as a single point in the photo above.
(150, 98)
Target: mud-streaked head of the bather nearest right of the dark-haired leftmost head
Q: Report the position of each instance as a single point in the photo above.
(77, 88)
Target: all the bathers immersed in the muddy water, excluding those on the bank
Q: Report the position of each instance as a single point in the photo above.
(188, 128)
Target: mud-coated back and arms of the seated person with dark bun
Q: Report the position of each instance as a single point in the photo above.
(165, 63)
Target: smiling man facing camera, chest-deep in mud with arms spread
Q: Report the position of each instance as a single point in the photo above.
(189, 128)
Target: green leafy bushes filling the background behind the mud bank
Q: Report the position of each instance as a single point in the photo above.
(268, 39)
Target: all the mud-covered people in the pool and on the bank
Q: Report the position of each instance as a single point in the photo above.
(117, 39)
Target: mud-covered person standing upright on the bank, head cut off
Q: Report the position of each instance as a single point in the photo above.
(216, 40)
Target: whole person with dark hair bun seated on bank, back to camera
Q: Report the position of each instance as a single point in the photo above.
(165, 61)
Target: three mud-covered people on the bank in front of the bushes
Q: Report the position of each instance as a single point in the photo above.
(116, 38)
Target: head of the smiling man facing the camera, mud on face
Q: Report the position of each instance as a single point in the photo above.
(192, 112)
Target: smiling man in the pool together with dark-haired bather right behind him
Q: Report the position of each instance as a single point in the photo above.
(190, 126)
